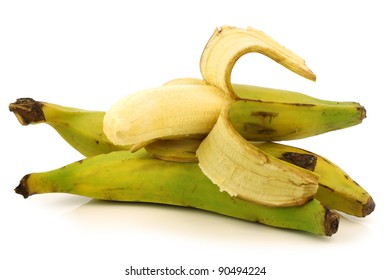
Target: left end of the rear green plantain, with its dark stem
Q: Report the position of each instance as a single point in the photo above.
(82, 129)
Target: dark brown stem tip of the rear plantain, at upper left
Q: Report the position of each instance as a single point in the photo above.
(27, 111)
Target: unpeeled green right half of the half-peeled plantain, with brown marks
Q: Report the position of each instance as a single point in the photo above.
(272, 121)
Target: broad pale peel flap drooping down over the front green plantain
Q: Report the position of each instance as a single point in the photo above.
(242, 170)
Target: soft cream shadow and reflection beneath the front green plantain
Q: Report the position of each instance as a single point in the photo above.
(108, 216)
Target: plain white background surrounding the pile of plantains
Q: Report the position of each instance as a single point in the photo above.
(87, 54)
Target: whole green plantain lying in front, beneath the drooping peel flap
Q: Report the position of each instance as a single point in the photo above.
(125, 176)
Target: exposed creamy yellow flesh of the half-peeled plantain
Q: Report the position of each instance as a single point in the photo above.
(185, 111)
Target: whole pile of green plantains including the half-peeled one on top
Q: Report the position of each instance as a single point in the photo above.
(209, 144)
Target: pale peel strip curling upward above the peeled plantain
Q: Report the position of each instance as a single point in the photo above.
(228, 44)
